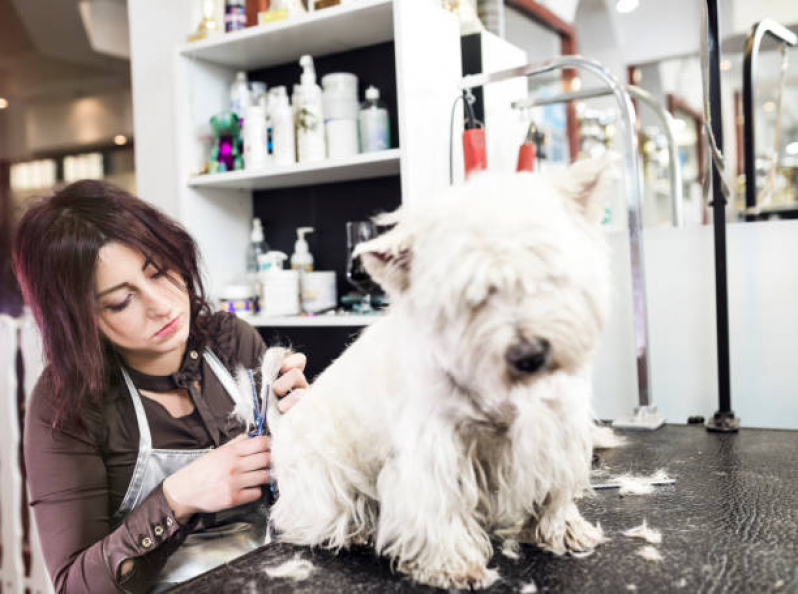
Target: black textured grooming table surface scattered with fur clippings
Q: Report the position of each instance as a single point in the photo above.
(728, 524)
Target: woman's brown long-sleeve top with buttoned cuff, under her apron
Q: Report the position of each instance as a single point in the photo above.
(78, 476)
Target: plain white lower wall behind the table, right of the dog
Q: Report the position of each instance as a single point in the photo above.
(763, 322)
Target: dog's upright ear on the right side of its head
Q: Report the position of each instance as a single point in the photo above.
(587, 183)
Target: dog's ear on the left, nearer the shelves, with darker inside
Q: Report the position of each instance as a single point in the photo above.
(387, 259)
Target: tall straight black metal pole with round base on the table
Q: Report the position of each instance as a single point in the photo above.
(724, 419)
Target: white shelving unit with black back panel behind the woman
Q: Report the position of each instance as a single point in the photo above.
(423, 42)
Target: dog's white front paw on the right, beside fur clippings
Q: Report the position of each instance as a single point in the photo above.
(561, 528)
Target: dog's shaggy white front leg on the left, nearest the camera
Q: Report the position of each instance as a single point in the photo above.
(427, 526)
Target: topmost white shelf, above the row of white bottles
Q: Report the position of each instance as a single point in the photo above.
(318, 33)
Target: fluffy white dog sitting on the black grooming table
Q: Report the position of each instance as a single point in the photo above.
(465, 413)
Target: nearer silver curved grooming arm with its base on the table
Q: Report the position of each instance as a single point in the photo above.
(646, 416)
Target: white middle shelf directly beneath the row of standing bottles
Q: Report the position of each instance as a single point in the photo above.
(364, 166)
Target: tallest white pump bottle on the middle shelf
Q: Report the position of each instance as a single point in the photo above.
(310, 115)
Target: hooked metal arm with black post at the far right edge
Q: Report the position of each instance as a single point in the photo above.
(752, 45)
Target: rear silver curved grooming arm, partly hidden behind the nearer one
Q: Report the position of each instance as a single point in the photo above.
(674, 169)
